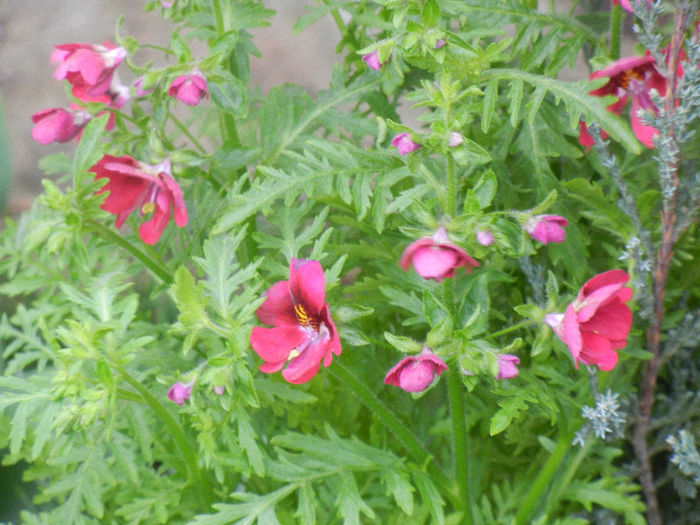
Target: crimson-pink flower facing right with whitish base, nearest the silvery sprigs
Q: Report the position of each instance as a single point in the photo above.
(598, 321)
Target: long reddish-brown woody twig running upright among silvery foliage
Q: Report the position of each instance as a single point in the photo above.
(663, 260)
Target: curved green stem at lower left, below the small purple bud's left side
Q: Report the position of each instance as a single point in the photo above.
(198, 480)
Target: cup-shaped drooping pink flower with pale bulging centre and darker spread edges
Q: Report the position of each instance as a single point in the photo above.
(436, 257)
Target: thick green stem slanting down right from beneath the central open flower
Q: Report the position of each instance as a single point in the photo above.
(419, 453)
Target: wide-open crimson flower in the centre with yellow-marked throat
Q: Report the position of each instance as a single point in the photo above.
(303, 333)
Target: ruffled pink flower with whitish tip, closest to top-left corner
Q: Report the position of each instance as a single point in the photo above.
(89, 68)
